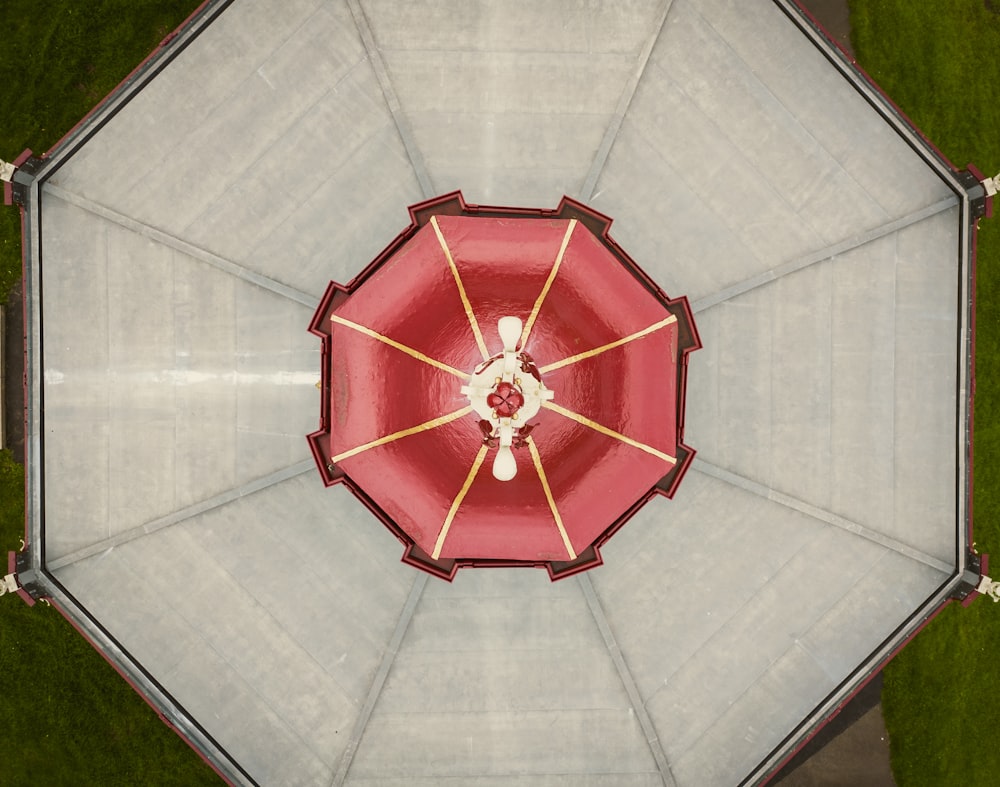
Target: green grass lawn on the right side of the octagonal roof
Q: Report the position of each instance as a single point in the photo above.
(938, 61)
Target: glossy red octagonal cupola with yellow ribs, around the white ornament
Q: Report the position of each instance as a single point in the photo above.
(504, 258)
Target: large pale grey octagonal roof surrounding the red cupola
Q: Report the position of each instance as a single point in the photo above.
(179, 240)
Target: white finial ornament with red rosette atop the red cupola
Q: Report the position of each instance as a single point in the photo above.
(505, 392)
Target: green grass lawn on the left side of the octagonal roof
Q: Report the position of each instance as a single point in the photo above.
(68, 718)
